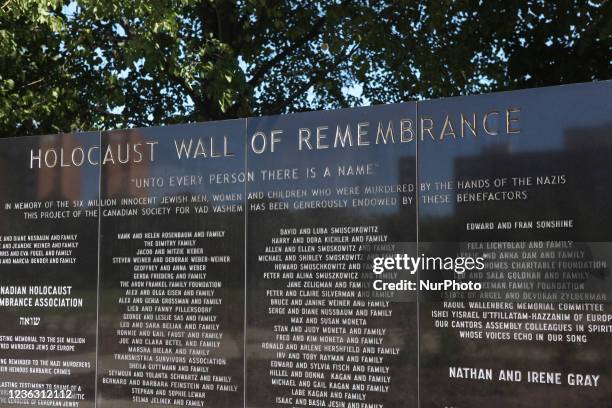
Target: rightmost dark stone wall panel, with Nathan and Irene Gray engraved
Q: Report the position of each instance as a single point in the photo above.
(555, 166)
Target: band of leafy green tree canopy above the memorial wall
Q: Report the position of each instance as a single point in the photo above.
(88, 64)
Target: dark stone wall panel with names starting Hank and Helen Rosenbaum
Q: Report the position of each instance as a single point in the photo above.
(172, 274)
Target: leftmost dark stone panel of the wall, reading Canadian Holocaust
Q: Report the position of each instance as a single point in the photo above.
(45, 253)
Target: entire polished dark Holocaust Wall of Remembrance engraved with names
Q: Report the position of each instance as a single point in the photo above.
(230, 264)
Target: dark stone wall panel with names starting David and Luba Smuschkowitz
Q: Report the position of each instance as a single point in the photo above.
(299, 351)
